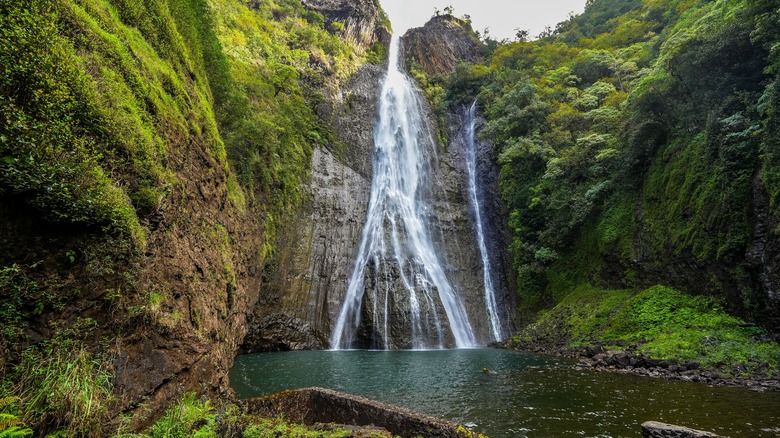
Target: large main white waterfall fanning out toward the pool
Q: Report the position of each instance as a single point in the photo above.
(396, 254)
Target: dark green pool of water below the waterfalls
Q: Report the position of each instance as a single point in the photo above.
(528, 396)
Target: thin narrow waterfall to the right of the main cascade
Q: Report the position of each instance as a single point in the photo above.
(471, 164)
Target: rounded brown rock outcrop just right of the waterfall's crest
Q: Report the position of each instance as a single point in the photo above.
(441, 43)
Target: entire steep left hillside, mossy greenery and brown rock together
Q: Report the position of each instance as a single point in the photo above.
(149, 150)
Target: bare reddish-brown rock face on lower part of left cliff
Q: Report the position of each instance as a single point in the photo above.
(175, 313)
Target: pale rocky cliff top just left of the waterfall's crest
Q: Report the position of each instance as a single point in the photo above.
(364, 22)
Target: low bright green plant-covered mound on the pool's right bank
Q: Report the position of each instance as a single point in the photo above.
(662, 322)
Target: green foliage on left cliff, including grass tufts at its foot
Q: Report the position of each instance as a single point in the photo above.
(103, 106)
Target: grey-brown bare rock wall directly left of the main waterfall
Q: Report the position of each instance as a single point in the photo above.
(310, 271)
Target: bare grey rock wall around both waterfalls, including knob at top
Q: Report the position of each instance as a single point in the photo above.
(308, 278)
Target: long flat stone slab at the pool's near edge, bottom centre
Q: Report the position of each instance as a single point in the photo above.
(319, 405)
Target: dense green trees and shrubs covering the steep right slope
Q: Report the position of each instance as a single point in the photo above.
(636, 143)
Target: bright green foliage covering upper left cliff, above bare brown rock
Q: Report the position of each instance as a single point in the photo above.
(97, 96)
